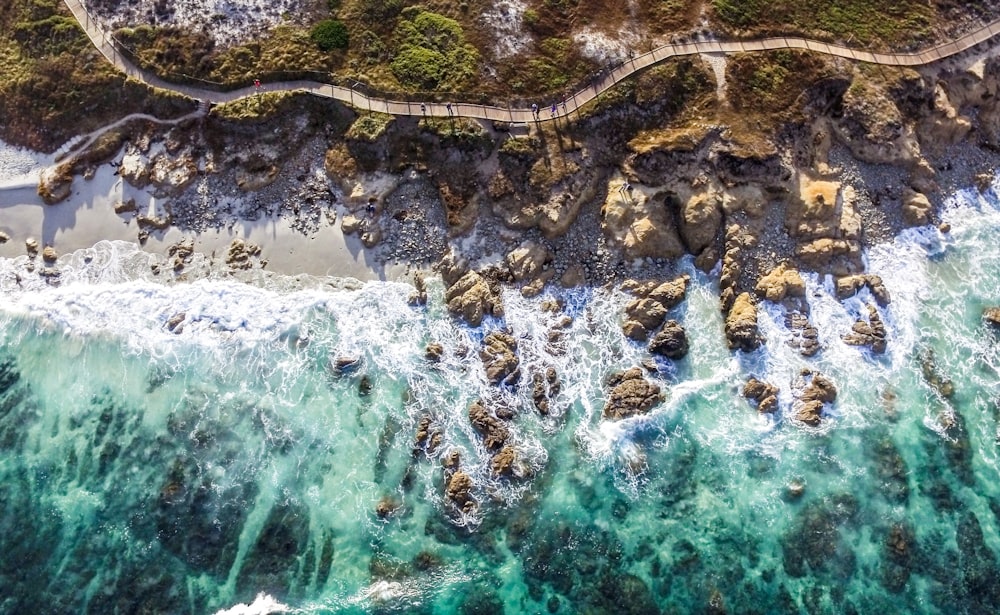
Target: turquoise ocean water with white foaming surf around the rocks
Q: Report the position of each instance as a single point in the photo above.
(147, 471)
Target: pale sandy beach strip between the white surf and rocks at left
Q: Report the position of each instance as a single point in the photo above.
(88, 216)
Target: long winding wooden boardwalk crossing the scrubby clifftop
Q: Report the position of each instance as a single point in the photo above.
(105, 44)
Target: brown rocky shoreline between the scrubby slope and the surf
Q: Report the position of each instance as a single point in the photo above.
(621, 193)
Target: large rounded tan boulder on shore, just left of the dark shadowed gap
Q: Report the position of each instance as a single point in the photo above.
(640, 226)
